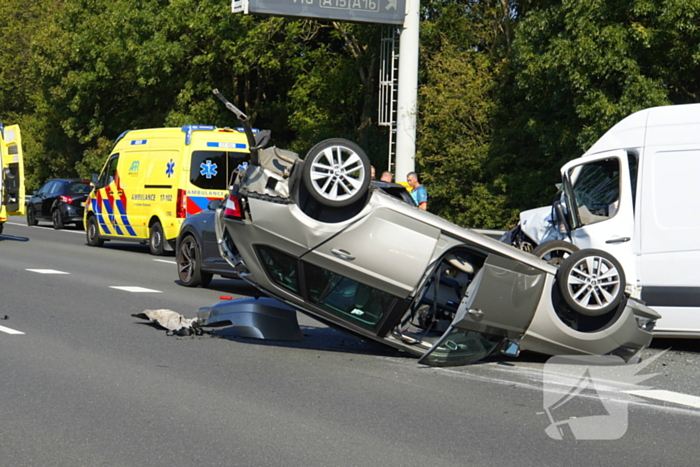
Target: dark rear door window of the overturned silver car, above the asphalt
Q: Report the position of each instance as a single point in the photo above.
(358, 303)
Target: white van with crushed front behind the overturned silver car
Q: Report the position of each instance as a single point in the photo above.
(636, 195)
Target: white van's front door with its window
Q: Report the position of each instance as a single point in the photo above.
(600, 200)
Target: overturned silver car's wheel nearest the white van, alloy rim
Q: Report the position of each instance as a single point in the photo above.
(591, 282)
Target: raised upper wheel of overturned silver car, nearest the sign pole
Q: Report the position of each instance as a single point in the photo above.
(336, 172)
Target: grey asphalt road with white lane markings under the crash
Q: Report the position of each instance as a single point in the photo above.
(83, 383)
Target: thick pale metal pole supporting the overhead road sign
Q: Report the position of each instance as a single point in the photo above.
(408, 92)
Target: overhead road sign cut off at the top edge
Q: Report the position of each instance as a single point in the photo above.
(361, 11)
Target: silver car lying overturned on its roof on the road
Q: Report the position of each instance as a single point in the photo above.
(313, 234)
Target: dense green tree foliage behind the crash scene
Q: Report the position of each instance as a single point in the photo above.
(508, 91)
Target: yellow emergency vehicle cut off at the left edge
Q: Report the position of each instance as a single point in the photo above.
(12, 177)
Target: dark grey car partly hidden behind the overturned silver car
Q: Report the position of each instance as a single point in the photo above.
(197, 252)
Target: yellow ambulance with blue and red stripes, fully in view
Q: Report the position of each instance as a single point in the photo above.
(155, 178)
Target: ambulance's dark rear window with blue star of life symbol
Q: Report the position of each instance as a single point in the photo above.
(210, 170)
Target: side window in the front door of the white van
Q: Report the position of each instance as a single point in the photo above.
(597, 190)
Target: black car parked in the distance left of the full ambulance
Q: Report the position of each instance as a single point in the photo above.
(62, 201)
